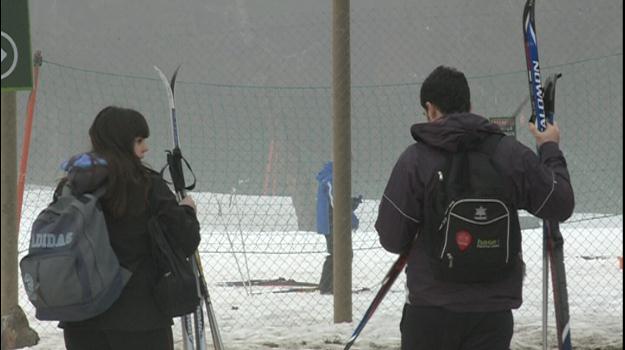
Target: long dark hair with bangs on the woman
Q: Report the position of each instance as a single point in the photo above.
(113, 135)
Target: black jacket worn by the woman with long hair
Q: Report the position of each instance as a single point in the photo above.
(136, 310)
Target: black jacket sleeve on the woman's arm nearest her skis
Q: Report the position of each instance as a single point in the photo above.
(178, 221)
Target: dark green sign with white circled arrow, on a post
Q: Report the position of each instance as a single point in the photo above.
(16, 56)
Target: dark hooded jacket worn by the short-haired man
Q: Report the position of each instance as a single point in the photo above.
(541, 186)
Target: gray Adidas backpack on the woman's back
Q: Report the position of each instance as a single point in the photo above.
(71, 272)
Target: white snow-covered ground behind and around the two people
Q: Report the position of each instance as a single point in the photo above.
(240, 241)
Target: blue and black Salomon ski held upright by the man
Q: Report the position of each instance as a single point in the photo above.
(543, 112)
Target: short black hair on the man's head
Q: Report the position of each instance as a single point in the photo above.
(448, 89)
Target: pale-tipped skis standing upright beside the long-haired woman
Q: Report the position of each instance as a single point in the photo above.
(174, 164)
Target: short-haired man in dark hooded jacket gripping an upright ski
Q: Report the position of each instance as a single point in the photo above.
(442, 315)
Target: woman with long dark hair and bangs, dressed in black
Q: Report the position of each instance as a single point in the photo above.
(133, 193)
